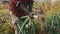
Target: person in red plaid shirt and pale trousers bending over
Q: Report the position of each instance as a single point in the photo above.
(19, 8)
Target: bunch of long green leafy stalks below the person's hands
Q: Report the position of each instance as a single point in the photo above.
(24, 26)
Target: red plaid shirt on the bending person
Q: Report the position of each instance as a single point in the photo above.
(14, 9)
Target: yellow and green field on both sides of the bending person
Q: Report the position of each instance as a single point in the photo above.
(51, 13)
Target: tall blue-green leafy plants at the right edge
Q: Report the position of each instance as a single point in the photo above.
(53, 23)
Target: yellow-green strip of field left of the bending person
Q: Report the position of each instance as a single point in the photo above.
(5, 20)
